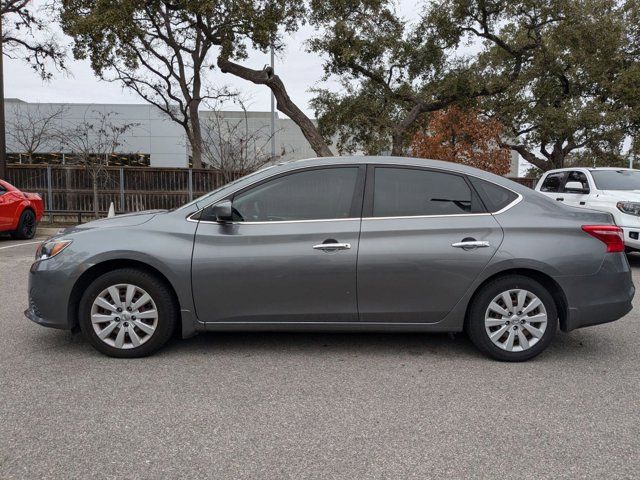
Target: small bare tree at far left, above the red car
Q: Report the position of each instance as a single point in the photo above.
(32, 129)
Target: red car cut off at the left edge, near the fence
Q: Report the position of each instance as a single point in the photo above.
(19, 212)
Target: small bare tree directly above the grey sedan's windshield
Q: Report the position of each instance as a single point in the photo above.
(231, 145)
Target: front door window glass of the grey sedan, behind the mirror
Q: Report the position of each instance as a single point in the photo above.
(310, 195)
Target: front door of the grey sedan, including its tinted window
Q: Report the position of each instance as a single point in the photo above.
(289, 255)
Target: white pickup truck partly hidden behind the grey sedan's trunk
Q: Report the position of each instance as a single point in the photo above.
(612, 190)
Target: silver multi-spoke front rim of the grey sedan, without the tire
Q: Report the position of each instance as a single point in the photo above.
(124, 316)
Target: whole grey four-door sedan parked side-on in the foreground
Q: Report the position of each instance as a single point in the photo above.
(355, 243)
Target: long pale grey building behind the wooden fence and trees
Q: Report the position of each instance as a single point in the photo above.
(152, 139)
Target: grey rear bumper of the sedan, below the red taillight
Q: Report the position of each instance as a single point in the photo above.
(600, 298)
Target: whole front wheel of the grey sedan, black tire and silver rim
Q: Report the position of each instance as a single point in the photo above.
(143, 331)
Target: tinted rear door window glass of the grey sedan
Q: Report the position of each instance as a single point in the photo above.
(402, 192)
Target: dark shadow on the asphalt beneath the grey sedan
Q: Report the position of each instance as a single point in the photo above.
(576, 346)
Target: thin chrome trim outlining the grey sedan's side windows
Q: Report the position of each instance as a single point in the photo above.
(504, 209)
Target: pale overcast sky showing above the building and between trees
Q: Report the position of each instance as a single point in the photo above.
(299, 70)
